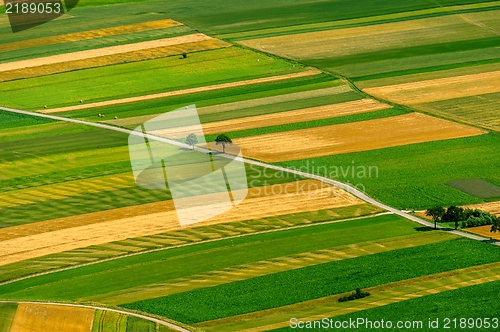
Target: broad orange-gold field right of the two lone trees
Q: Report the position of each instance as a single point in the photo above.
(352, 137)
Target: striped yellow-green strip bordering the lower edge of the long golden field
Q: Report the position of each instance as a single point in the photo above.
(179, 237)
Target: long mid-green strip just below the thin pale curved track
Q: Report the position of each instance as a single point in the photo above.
(162, 266)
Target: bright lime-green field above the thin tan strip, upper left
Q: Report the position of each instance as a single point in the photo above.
(141, 78)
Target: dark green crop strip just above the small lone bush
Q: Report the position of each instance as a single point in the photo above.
(318, 281)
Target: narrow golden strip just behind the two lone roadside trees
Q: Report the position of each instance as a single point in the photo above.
(308, 114)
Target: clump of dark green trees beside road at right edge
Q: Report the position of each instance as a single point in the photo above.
(463, 217)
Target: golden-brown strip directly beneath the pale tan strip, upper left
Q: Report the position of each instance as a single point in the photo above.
(107, 60)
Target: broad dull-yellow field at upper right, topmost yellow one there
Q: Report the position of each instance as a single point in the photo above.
(343, 42)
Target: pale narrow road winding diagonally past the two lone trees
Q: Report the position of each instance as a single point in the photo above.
(338, 184)
